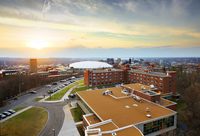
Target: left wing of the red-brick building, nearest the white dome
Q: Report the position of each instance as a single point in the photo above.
(103, 77)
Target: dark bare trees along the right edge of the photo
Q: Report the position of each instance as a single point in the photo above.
(188, 85)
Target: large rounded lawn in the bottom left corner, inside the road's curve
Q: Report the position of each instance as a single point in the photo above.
(28, 123)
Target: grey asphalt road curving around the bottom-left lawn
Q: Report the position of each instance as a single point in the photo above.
(55, 110)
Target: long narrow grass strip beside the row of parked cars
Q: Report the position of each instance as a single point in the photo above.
(60, 94)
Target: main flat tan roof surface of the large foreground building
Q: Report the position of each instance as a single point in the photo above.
(123, 112)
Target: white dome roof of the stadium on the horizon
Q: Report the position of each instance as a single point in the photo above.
(90, 65)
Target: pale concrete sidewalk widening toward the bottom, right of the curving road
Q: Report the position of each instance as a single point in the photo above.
(69, 126)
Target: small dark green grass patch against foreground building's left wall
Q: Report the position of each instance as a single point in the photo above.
(77, 114)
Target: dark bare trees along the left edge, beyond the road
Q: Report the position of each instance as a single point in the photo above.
(15, 85)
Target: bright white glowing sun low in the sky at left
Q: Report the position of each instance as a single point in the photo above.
(38, 44)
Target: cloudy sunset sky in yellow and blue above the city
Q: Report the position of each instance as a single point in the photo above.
(99, 28)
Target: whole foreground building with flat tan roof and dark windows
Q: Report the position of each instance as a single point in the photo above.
(128, 110)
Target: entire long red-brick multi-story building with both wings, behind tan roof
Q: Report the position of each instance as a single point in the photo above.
(164, 82)
